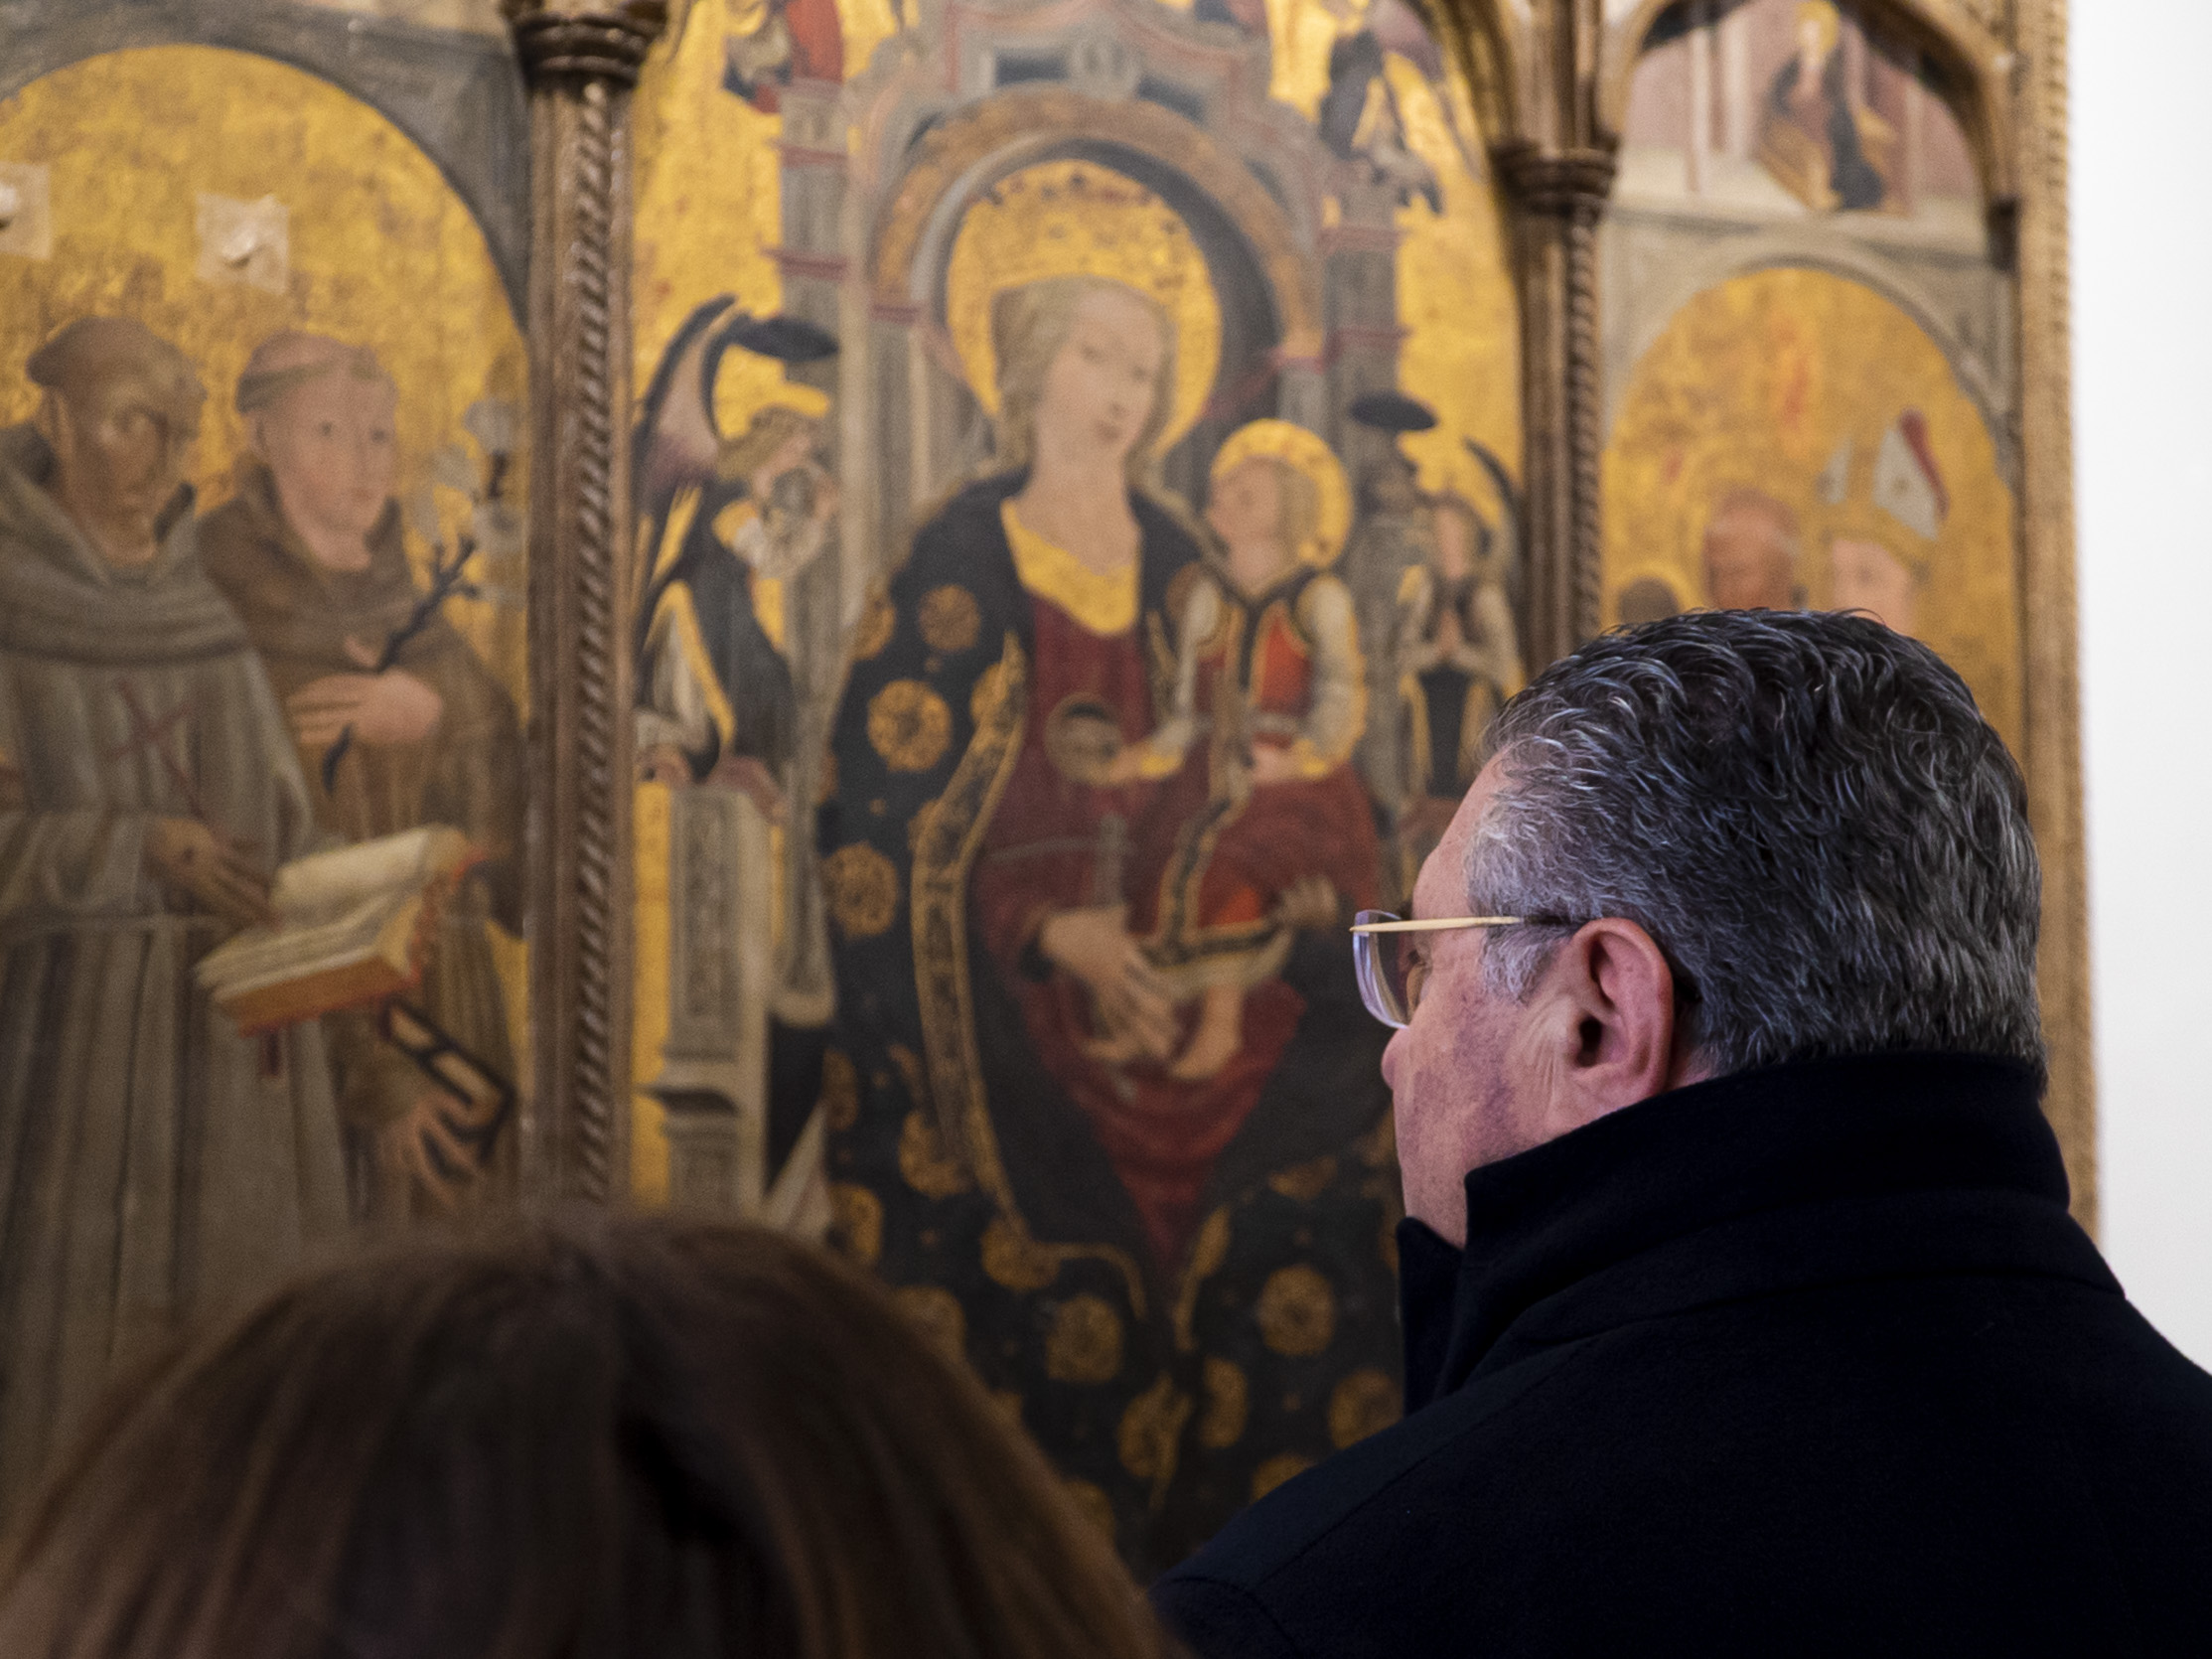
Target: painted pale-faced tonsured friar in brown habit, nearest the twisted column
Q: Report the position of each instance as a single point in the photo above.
(311, 552)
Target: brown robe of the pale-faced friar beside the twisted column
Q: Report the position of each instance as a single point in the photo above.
(470, 775)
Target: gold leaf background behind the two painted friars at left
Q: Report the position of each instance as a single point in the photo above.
(382, 253)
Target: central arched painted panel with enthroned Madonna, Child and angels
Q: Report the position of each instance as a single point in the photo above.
(1078, 474)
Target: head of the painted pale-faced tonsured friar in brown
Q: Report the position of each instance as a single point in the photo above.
(324, 417)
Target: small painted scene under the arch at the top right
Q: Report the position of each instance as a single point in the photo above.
(1793, 109)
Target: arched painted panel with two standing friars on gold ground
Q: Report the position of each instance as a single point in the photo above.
(262, 680)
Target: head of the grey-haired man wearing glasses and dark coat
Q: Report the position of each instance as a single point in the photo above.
(1740, 839)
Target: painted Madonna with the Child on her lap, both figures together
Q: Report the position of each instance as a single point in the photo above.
(1105, 1098)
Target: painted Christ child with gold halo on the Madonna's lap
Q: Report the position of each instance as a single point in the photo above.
(1264, 828)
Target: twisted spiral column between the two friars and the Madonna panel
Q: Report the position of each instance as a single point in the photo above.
(581, 70)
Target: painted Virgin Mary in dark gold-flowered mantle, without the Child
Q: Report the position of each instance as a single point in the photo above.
(1003, 1109)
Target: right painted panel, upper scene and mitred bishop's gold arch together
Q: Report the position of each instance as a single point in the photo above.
(1811, 371)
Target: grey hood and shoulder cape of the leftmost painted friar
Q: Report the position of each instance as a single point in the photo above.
(59, 598)
